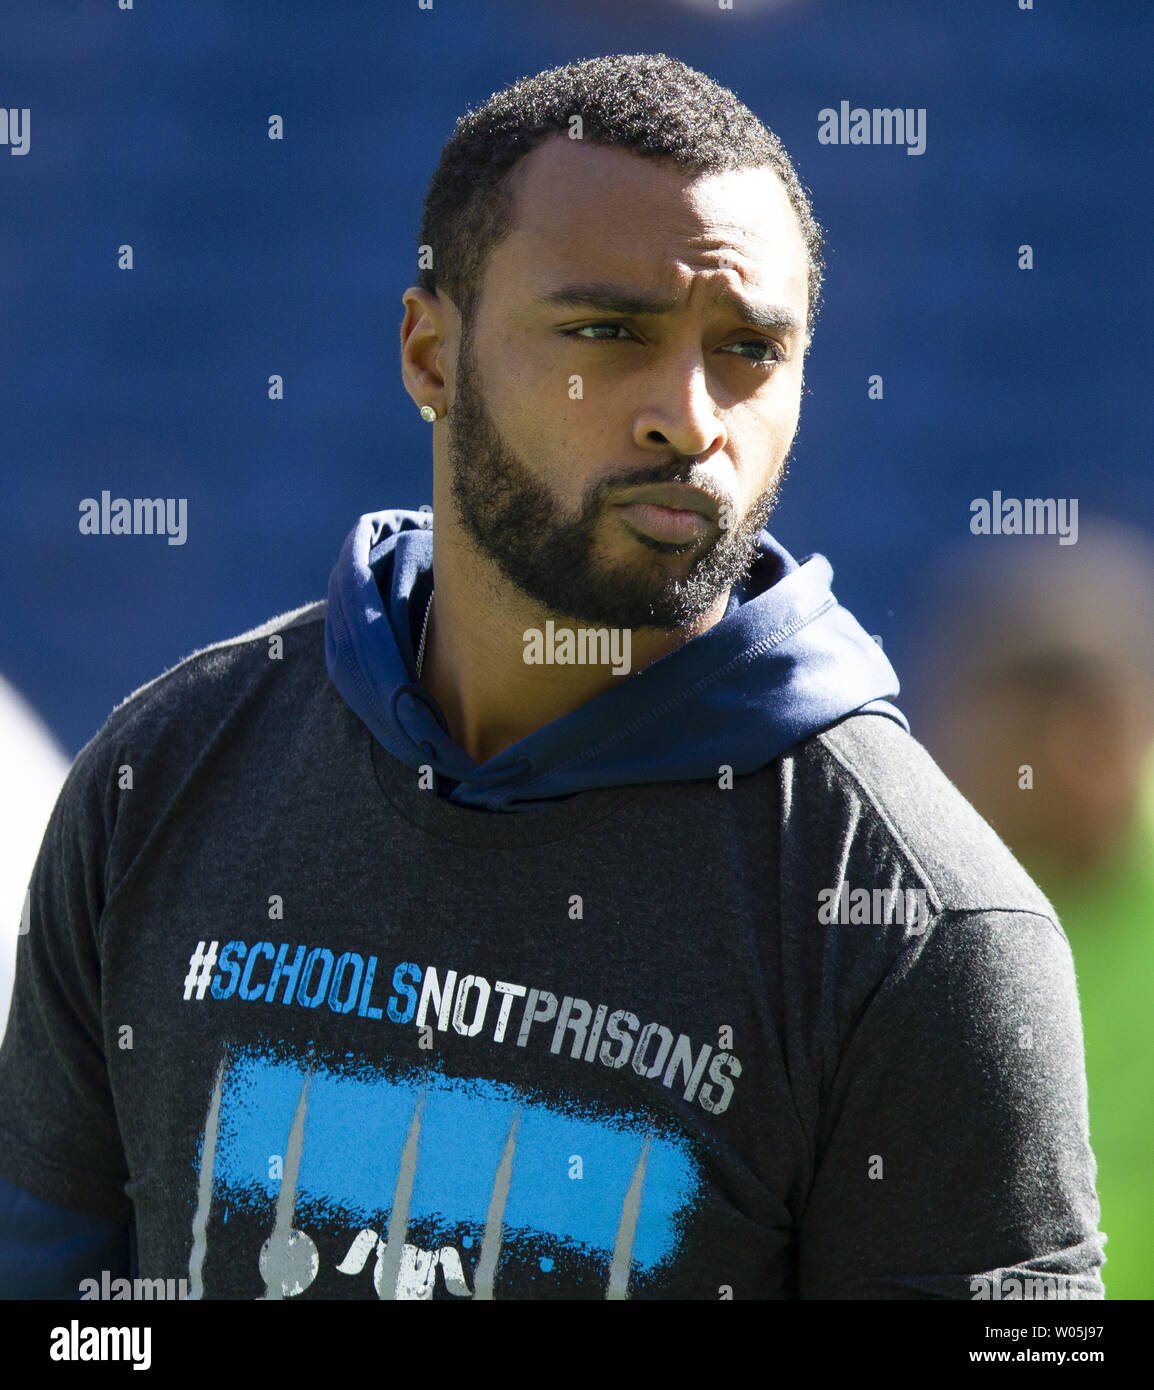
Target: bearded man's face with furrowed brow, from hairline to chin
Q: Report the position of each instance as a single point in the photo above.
(567, 405)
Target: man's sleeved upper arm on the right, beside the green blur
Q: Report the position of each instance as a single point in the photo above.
(954, 1136)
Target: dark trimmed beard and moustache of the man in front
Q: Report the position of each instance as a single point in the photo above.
(553, 558)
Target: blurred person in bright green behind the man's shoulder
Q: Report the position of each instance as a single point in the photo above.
(1046, 723)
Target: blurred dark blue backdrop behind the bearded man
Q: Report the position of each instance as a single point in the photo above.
(257, 256)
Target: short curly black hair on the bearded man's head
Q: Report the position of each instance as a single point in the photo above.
(647, 104)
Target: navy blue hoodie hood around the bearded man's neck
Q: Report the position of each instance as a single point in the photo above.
(785, 662)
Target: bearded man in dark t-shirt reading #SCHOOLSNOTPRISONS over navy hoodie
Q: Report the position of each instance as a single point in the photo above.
(501, 960)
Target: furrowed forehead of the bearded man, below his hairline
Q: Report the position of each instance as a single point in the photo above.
(603, 213)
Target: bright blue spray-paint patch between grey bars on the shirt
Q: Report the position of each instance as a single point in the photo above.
(358, 1124)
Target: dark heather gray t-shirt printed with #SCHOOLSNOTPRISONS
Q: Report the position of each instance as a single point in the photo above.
(322, 1035)
